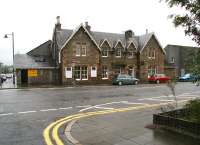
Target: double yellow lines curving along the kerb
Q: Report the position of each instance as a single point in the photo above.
(57, 124)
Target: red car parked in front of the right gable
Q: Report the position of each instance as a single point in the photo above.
(158, 78)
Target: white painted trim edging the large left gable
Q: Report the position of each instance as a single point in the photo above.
(72, 35)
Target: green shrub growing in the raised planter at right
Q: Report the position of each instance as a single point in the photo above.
(194, 107)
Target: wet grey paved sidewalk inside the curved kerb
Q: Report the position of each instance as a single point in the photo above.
(126, 128)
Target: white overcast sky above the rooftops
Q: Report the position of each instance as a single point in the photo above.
(32, 21)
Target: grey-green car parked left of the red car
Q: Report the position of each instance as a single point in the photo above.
(124, 79)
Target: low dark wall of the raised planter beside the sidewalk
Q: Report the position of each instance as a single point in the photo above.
(172, 120)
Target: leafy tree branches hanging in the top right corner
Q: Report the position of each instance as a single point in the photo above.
(189, 20)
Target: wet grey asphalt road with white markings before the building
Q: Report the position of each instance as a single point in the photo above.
(25, 113)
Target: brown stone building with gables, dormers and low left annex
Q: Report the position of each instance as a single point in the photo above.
(89, 57)
